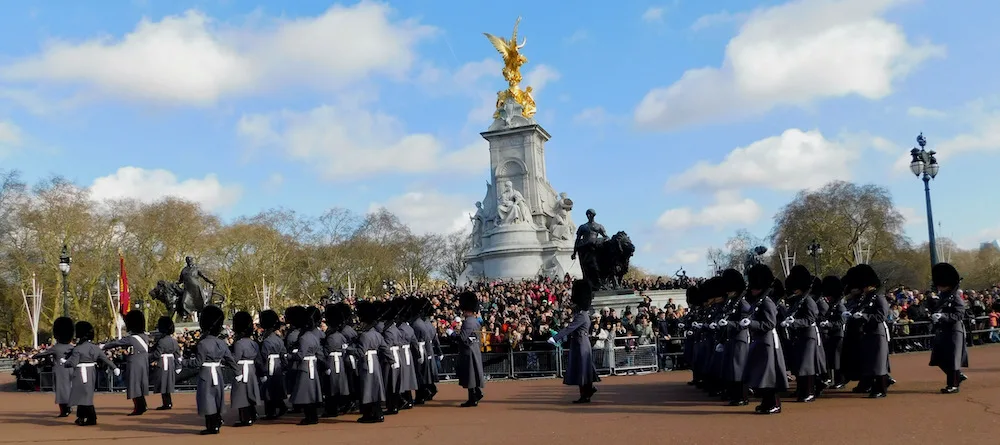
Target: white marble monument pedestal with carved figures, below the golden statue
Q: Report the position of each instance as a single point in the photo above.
(522, 228)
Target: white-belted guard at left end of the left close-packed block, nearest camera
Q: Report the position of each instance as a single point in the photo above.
(212, 354)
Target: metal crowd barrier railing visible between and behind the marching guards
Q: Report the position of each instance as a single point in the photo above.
(613, 356)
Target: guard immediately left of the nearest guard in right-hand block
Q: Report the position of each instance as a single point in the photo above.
(737, 338)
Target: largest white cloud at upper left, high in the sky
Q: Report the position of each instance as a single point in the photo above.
(191, 59)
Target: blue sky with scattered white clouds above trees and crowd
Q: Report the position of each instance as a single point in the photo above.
(678, 121)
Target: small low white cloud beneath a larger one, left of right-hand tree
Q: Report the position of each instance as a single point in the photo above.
(728, 209)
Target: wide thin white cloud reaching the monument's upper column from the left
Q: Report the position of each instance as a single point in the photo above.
(348, 142)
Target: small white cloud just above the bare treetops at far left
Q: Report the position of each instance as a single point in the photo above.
(151, 185)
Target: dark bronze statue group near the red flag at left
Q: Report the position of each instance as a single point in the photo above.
(187, 296)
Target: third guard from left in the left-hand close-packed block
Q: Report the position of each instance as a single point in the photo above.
(271, 366)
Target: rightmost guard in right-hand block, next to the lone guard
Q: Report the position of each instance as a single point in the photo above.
(872, 312)
